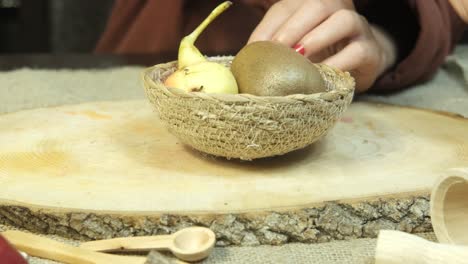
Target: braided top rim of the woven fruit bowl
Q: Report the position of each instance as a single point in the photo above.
(337, 93)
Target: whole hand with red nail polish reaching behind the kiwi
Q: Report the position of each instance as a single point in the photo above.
(330, 32)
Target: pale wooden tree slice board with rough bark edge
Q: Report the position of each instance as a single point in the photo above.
(112, 169)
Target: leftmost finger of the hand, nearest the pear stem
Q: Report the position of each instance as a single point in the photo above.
(273, 19)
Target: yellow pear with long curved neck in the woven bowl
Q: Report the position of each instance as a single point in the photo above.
(194, 72)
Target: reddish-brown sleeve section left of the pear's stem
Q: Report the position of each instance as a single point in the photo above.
(140, 26)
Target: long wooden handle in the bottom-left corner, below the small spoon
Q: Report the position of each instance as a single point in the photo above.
(42, 247)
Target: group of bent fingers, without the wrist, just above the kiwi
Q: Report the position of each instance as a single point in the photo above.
(292, 21)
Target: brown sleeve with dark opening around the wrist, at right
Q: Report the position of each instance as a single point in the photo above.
(425, 32)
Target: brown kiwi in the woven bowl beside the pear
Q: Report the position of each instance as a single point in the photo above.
(266, 68)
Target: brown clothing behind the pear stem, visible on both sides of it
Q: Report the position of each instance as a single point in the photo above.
(156, 26)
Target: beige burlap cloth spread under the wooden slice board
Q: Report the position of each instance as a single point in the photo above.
(26, 88)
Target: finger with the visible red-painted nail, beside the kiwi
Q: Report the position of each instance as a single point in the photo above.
(343, 24)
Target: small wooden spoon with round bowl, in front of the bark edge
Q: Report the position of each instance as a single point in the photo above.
(189, 244)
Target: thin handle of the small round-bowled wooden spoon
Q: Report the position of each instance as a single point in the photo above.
(129, 244)
